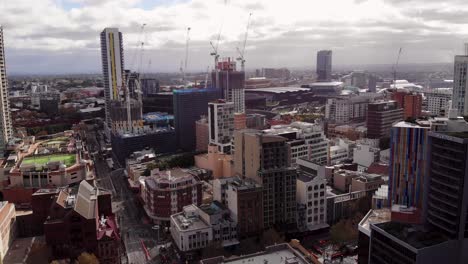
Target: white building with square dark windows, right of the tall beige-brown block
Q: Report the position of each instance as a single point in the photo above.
(311, 200)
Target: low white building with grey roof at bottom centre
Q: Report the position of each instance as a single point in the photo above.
(197, 227)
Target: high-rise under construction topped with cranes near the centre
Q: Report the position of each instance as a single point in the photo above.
(231, 83)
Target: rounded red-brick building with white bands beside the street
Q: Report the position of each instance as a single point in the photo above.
(167, 192)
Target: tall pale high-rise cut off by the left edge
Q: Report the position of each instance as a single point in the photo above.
(6, 130)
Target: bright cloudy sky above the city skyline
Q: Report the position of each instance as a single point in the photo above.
(62, 36)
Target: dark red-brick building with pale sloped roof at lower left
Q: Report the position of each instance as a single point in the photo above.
(83, 221)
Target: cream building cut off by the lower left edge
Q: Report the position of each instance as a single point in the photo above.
(7, 226)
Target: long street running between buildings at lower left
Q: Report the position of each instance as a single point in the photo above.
(134, 230)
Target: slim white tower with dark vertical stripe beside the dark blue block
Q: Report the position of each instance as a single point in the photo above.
(221, 124)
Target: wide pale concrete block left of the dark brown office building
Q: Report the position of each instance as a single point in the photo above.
(343, 110)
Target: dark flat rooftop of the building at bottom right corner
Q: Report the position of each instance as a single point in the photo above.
(414, 235)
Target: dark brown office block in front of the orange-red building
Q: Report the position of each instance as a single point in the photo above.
(380, 118)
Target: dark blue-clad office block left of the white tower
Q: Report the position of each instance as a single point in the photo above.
(189, 106)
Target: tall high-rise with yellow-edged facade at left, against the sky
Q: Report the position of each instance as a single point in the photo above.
(112, 67)
